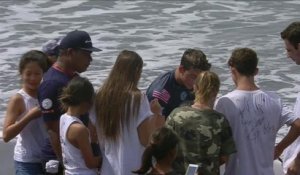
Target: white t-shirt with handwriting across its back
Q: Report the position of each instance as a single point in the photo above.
(255, 117)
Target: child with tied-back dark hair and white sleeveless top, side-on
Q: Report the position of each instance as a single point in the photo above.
(77, 99)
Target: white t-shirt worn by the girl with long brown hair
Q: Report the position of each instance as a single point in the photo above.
(123, 156)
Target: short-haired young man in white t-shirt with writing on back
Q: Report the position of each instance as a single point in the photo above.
(255, 116)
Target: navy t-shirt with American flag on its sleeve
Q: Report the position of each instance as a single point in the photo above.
(169, 93)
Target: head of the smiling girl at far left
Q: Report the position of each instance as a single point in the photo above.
(32, 65)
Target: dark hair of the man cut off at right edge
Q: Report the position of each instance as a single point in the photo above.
(292, 34)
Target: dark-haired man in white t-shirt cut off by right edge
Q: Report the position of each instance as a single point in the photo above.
(291, 38)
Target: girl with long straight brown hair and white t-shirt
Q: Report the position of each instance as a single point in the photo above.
(123, 117)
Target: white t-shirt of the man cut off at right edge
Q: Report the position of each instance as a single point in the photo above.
(291, 152)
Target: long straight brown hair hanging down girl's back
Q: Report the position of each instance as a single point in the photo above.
(118, 99)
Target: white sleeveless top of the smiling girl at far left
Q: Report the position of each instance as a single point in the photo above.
(31, 139)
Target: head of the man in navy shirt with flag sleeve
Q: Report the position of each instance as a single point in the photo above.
(192, 63)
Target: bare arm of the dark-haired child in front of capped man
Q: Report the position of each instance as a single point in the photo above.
(78, 135)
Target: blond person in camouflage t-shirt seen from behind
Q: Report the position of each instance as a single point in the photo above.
(205, 133)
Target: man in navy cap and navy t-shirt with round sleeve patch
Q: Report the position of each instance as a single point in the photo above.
(74, 57)
